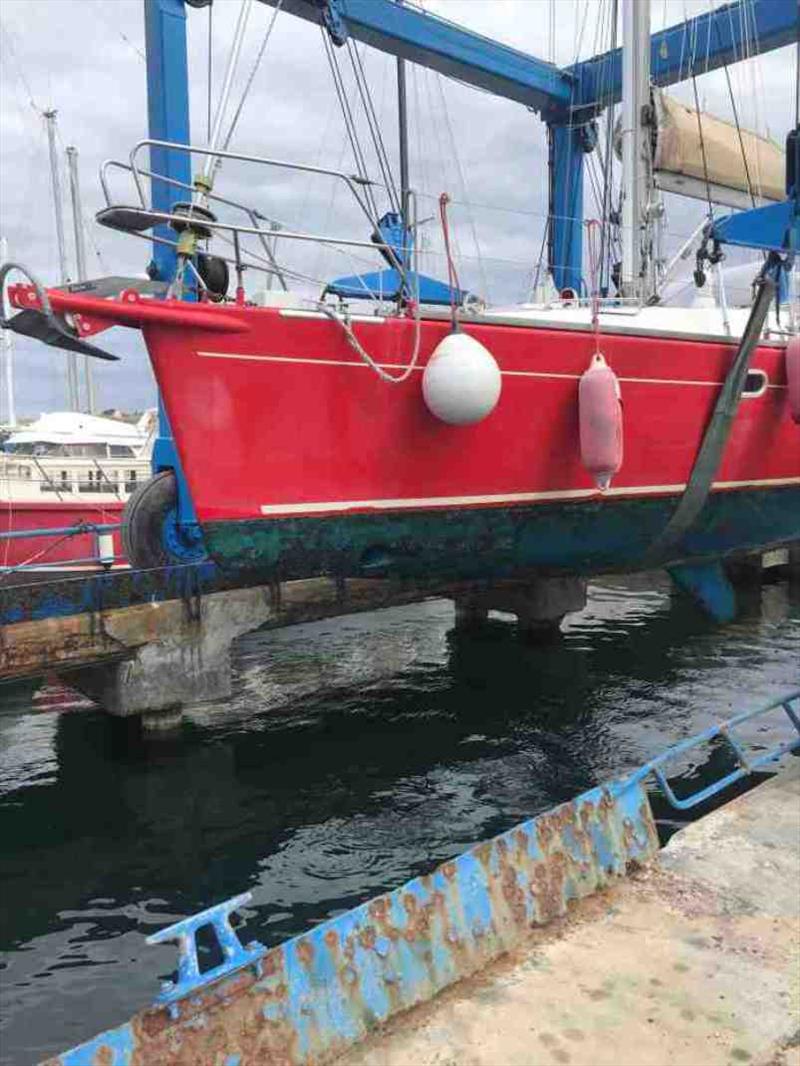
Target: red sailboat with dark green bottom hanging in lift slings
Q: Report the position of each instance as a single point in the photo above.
(428, 435)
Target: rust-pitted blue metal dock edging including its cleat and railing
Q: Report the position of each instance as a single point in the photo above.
(315, 996)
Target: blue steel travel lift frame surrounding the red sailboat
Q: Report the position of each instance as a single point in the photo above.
(567, 100)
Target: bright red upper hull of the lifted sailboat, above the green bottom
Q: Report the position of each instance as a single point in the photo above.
(286, 421)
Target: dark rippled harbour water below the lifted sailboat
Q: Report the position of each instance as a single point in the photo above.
(357, 753)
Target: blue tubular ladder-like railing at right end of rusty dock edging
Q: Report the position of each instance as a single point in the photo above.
(747, 764)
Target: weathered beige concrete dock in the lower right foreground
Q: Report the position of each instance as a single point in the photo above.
(694, 961)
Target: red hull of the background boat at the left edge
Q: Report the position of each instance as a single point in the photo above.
(43, 551)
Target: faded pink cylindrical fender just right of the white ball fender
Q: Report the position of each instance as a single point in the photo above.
(601, 422)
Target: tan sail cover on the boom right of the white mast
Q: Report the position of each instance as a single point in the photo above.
(679, 157)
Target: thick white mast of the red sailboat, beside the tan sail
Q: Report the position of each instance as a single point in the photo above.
(635, 144)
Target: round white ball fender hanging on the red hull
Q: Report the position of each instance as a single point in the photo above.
(461, 384)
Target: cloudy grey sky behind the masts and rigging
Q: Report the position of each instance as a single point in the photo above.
(86, 59)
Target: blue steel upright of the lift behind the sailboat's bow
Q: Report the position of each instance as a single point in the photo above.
(168, 116)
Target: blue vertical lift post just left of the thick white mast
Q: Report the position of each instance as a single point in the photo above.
(566, 236)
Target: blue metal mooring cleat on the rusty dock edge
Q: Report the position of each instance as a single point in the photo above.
(190, 979)
